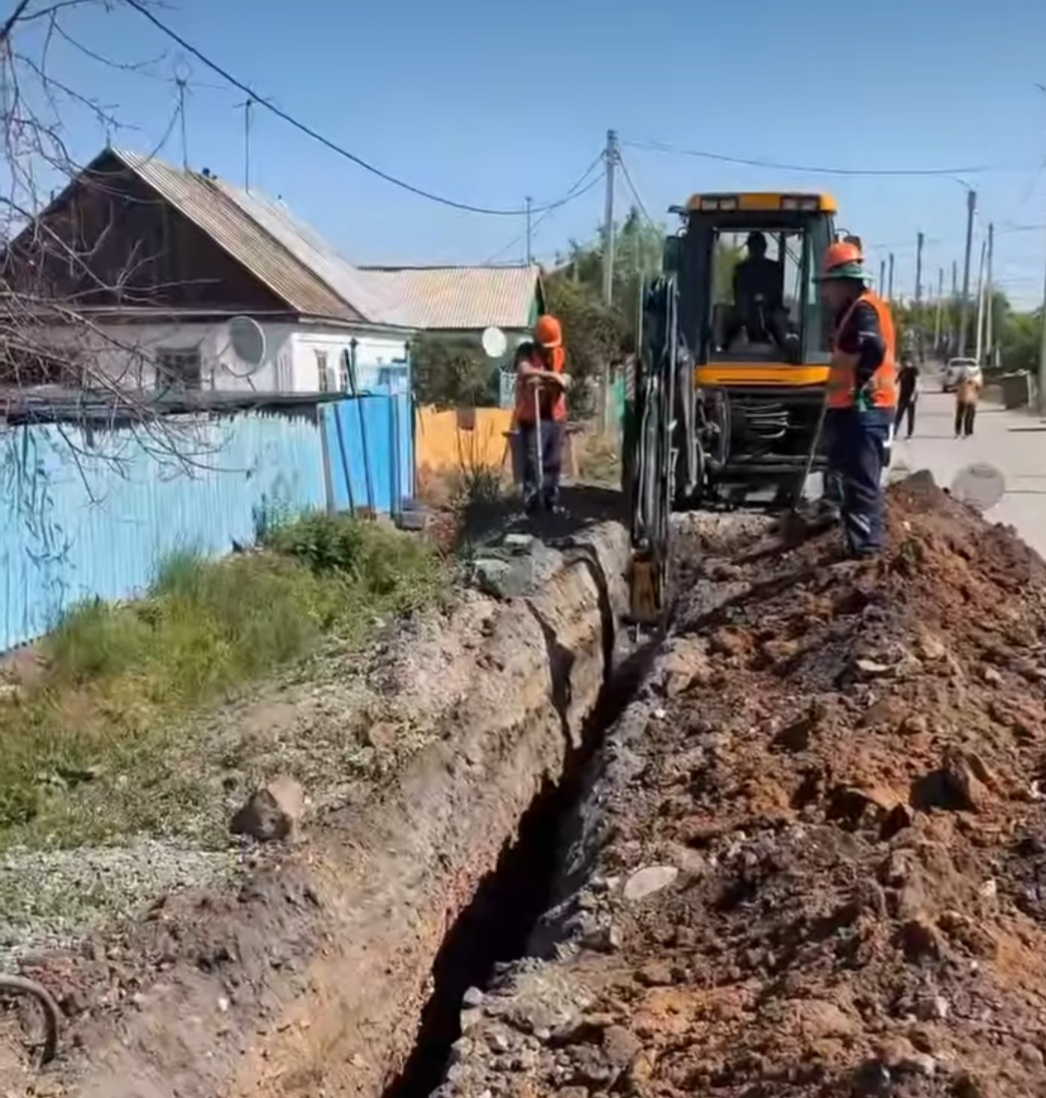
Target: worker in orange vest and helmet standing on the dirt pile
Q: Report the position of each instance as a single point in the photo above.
(862, 396)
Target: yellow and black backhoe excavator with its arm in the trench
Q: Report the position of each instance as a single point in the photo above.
(726, 405)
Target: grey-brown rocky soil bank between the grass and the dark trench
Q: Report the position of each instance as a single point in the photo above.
(212, 965)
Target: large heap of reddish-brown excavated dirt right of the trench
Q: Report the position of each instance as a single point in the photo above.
(822, 864)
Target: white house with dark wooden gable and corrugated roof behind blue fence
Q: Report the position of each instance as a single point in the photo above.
(172, 278)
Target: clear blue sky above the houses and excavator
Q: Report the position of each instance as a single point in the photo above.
(487, 104)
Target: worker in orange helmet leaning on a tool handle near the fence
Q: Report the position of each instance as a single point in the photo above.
(542, 385)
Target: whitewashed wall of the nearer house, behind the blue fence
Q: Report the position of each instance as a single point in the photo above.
(129, 353)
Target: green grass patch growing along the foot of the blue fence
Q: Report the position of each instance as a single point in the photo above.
(91, 750)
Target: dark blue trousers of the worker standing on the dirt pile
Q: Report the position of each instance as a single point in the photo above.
(858, 444)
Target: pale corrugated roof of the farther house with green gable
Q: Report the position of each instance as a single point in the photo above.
(460, 298)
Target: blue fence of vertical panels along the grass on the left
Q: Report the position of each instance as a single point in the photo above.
(94, 516)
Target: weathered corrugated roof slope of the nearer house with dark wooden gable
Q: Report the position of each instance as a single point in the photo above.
(287, 256)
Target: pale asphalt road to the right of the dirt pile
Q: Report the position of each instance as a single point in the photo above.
(1015, 443)
